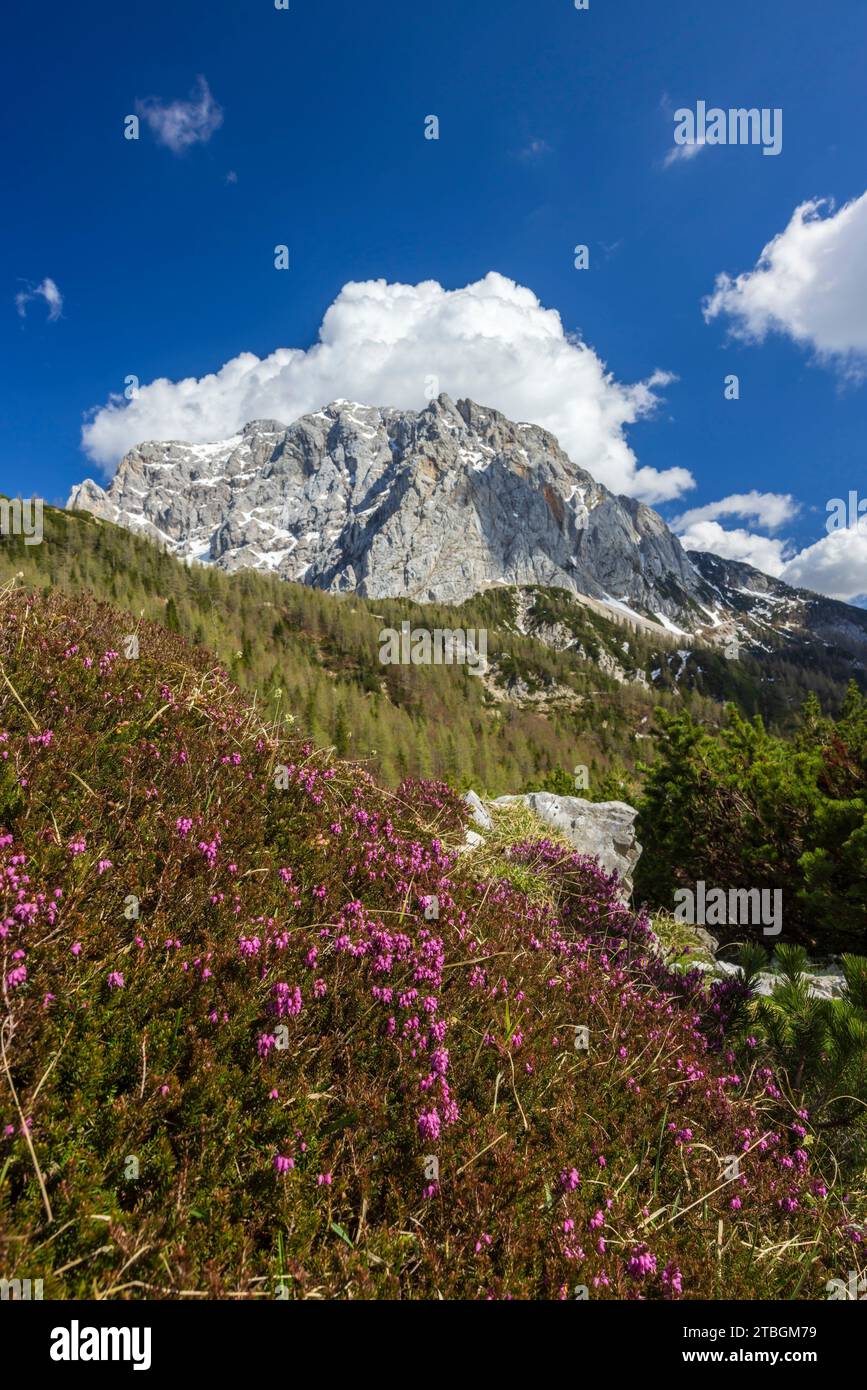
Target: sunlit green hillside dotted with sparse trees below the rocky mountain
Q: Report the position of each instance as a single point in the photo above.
(315, 661)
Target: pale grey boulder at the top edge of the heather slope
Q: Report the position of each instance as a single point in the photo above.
(604, 829)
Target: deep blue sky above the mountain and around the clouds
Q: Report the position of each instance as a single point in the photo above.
(555, 127)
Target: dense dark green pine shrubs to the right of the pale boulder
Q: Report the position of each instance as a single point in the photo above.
(743, 808)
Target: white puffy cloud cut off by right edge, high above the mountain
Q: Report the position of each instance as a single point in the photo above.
(811, 283)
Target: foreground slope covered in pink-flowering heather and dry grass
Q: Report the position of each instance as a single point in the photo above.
(238, 1057)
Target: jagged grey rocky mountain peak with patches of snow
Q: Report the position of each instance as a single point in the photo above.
(434, 505)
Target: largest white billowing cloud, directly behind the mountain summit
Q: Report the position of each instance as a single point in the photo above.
(397, 345)
